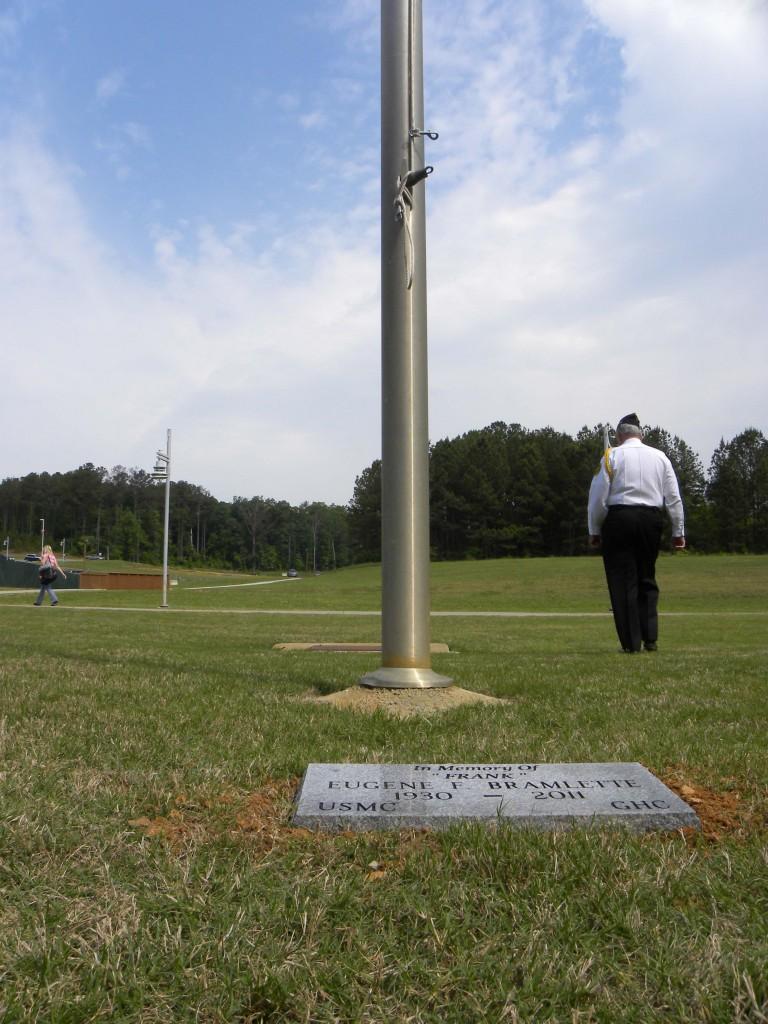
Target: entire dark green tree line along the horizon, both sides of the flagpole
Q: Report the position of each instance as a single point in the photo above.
(499, 492)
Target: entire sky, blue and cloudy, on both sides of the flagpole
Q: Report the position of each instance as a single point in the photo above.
(190, 226)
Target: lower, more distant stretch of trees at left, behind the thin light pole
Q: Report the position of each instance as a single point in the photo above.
(120, 515)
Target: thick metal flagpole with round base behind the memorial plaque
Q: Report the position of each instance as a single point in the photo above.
(405, 625)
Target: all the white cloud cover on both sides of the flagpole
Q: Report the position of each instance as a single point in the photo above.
(578, 269)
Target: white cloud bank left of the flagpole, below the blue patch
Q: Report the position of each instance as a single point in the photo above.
(260, 363)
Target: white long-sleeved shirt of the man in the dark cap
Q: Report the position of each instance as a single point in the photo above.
(635, 475)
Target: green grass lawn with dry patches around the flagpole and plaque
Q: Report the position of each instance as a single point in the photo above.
(149, 871)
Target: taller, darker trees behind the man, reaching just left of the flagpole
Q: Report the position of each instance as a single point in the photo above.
(507, 491)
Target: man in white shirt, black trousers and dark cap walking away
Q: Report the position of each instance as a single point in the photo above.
(632, 487)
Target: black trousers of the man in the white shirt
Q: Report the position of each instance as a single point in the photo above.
(631, 538)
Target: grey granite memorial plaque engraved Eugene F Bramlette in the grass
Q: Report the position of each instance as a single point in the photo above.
(340, 797)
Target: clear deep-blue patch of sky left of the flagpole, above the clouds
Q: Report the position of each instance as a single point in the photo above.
(179, 113)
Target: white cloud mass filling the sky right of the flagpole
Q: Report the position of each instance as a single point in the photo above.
(622, 273)
